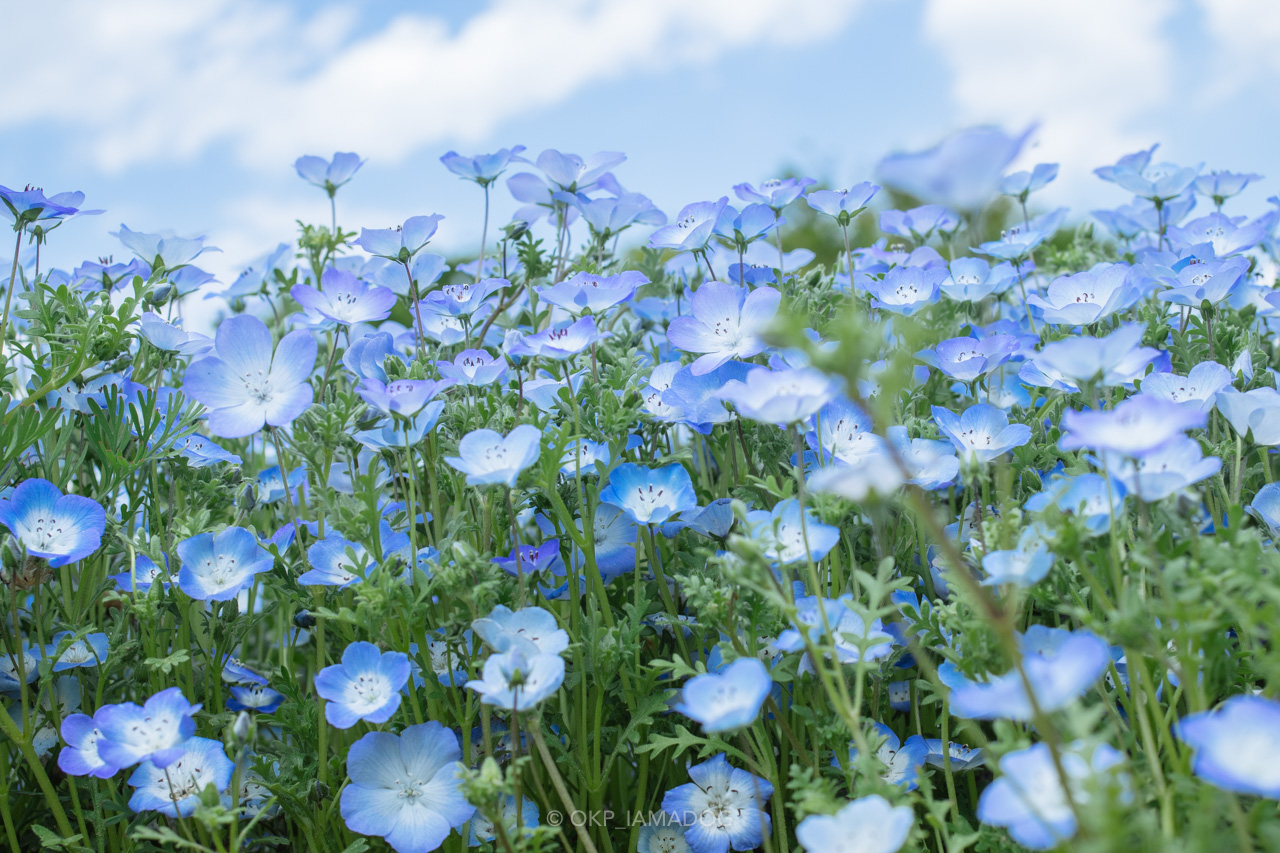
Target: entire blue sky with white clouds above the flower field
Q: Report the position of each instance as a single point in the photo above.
(189, 116)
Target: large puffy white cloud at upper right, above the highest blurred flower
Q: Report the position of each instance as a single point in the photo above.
(1092, 72)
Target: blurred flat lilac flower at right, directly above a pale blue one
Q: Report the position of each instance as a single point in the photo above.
(1136, 427)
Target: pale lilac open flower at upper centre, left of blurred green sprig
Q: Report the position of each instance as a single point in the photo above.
(726, 323)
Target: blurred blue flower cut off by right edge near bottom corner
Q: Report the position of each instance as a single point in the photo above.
(1236, 745)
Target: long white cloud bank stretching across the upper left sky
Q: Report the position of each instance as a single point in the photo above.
(156, 80)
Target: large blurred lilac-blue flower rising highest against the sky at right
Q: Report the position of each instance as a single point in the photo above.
(964, 171)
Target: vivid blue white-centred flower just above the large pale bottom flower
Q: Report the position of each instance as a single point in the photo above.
(367, 686)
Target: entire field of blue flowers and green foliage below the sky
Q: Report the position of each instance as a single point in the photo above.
(958, 540)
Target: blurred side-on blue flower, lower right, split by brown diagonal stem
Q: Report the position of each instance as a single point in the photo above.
(1060, 668)
